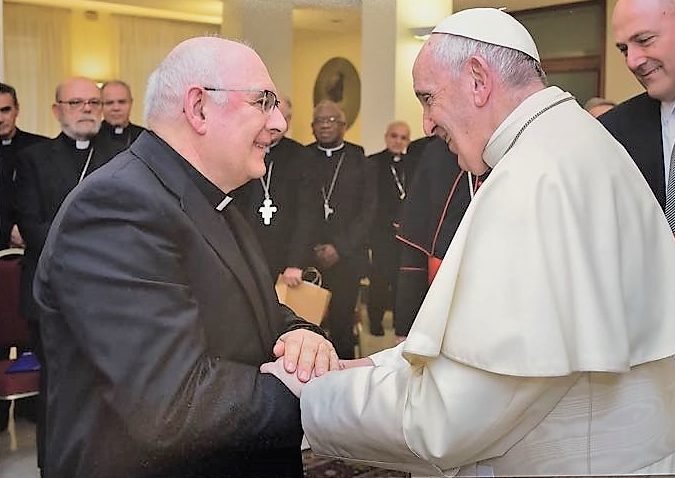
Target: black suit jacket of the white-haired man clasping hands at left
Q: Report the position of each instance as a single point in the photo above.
(157, 311)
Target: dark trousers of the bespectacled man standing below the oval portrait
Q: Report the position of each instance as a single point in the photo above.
(343, 281)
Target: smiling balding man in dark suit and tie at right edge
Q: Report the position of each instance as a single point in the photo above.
(645, 124)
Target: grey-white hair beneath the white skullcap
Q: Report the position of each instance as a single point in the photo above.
(515, 67)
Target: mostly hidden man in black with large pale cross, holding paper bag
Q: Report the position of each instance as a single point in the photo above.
(281, 206)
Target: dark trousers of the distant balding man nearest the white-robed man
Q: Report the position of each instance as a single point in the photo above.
(383, 280)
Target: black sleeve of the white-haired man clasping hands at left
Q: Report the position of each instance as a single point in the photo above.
(115, 269)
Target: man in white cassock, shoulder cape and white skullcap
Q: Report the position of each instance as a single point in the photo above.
(545, 344)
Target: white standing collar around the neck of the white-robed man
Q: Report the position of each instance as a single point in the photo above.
(504, 135)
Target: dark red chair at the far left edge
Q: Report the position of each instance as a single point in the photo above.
(13, 329)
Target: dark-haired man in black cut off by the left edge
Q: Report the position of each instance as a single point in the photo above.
(12, 141)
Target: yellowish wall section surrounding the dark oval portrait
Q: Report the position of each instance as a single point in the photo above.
(310, 51)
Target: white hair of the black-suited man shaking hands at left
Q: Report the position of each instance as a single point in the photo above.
(194, 62)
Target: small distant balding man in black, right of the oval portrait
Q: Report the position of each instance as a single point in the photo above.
(393, 173)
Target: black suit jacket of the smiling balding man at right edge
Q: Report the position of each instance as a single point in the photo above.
(636, 124)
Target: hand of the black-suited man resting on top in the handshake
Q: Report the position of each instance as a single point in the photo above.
(306, 352)
